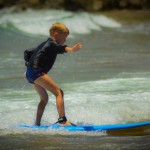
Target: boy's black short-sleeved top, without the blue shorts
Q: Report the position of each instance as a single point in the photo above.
(45, 55)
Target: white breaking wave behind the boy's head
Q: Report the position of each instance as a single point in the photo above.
(38, 22)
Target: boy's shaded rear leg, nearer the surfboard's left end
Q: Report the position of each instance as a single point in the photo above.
(43, 101)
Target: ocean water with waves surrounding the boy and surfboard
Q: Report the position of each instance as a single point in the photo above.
(107, 82)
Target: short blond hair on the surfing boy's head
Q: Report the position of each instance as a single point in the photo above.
(58, 27)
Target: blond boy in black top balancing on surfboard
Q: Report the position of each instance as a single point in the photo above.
(41, 62)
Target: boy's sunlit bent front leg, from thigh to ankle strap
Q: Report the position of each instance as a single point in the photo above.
(47, 83)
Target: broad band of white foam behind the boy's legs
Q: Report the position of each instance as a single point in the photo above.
(112, 101)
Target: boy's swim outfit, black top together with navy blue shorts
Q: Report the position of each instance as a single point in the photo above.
(43, 59)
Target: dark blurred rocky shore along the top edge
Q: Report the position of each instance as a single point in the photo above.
(77, 5)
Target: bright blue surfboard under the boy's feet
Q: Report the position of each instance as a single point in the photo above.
(90, 128)
